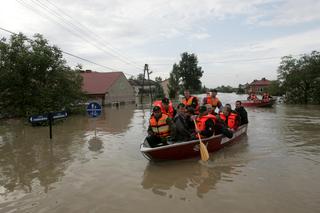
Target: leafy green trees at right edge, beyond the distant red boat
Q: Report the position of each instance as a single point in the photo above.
(300, 78)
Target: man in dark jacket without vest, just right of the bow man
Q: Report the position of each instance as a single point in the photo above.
(183, 132)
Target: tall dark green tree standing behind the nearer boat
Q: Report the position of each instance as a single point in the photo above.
(190, 72)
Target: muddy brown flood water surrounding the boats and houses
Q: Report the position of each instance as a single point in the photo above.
(274, 168)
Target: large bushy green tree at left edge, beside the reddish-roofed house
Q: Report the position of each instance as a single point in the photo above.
(34, 78)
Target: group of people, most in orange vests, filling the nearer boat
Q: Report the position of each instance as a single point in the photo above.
(190, 119)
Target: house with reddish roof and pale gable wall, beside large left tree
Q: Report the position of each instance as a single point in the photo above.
(107, 88)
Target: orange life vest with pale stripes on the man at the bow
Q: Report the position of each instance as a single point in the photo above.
(160, 127)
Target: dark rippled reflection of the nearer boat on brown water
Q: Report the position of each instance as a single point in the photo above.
(160, 178)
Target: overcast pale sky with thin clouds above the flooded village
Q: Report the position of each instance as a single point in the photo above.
(235, 41)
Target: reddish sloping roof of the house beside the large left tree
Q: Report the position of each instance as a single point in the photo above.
(98, 82)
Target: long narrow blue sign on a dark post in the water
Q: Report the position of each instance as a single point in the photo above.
(50, 117)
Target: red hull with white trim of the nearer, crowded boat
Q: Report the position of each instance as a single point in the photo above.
(189, 149)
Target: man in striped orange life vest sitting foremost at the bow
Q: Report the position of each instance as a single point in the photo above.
(161, 128)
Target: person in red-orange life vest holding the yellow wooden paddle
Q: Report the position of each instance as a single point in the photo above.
(205, 123)
